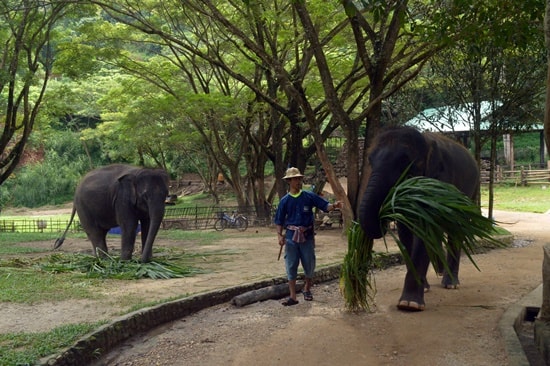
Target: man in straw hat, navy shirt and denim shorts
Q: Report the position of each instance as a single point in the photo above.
(294, 220)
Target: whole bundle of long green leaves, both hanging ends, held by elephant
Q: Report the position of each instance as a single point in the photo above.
(436, 212)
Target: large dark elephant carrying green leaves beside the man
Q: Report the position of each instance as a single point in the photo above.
(425, 154)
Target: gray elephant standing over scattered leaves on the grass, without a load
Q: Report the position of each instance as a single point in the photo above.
(121, 195)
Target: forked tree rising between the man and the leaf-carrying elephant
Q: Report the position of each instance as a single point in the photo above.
(392, 42)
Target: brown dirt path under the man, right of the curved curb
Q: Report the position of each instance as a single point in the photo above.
(459, 327)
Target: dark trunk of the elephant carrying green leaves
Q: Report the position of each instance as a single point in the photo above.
(369, 210)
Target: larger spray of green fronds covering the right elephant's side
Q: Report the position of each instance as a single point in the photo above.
(439, 214)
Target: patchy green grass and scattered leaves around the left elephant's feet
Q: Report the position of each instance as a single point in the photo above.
(61, 276)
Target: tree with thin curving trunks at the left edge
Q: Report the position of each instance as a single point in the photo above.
(26, 61)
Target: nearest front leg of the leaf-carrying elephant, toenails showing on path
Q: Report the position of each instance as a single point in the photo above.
(412, 297)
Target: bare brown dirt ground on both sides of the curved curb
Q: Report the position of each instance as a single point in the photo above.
(459, 327)
